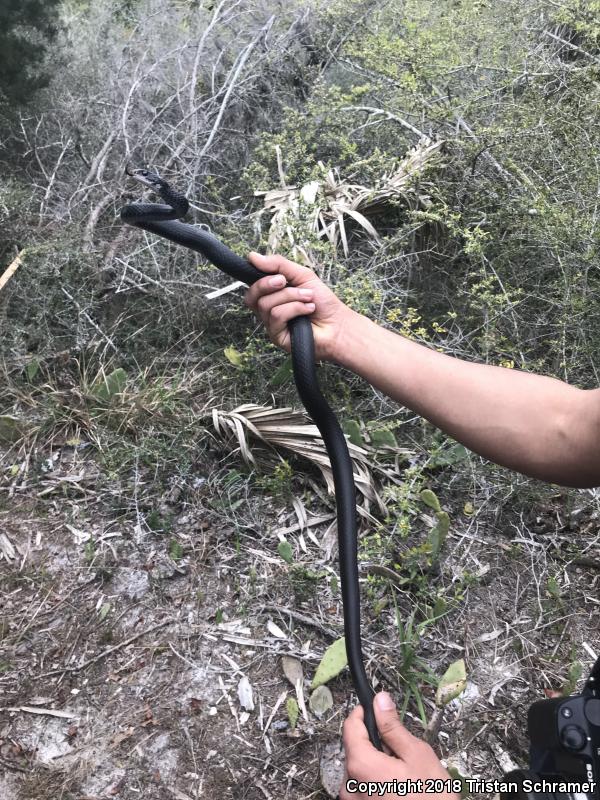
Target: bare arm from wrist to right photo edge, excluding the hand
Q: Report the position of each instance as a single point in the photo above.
(534, 424)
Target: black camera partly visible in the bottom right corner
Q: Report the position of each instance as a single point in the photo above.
(565, 748)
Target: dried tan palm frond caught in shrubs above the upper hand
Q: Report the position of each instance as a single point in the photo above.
(326, 204)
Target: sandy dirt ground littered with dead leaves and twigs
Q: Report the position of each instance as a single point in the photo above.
(121, 655)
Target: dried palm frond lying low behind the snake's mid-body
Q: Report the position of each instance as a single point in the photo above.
(291, 430)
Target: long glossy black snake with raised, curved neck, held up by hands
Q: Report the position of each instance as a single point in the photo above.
(164, 220)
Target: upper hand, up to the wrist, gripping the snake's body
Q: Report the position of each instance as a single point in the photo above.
(297, 291)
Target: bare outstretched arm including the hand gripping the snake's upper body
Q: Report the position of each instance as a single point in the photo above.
(534, 424)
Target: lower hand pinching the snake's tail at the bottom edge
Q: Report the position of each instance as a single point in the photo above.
(412, 763)
